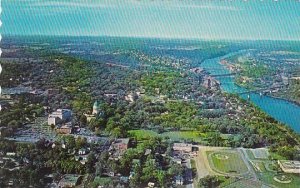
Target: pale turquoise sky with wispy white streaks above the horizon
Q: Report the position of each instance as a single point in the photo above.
(189, 19)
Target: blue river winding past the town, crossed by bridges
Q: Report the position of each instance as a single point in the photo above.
(281, 110)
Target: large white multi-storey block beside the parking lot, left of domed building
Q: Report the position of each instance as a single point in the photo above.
(59, 116)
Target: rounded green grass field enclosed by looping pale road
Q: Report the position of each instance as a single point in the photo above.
(227, 162)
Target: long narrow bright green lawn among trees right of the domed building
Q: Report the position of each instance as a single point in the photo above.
(173, 135)
